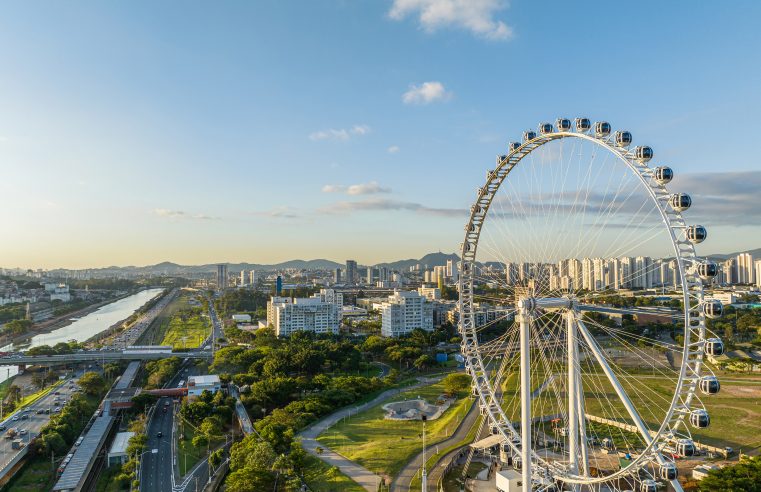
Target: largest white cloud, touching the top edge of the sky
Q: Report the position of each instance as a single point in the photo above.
(476, 16)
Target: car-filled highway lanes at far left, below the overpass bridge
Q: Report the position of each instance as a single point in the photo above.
(34, 422)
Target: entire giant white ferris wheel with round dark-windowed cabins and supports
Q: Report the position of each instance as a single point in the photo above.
(582, 312)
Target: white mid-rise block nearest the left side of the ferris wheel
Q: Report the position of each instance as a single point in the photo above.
(404, 312)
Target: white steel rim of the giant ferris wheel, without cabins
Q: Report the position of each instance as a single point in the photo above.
(691, 288)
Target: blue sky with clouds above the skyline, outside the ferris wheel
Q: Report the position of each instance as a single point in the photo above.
(199, 132)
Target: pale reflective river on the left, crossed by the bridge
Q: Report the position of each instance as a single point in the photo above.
(85, 327)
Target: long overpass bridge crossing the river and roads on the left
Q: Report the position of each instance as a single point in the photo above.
(98, 356)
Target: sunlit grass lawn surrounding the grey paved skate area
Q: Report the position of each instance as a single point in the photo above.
(368, 438)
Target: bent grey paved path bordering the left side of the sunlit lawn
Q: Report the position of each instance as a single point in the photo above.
(364, 477)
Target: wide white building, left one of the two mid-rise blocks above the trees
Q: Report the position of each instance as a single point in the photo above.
(320, 313)
